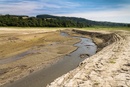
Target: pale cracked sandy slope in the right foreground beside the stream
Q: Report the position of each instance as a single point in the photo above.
(108, 68)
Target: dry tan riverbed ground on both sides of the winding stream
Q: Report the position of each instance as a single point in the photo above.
(109, 67)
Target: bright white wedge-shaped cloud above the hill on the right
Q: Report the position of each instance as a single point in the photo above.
(117, 15)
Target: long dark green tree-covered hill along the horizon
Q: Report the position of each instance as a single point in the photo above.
(46, 20)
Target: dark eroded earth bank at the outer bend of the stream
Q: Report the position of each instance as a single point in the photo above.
(100, 39)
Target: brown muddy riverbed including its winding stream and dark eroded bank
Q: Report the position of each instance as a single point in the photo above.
(37, 68)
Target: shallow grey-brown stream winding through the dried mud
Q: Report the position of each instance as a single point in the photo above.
(86, 48)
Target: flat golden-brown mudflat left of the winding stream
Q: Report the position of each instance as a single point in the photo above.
(46, 48)
